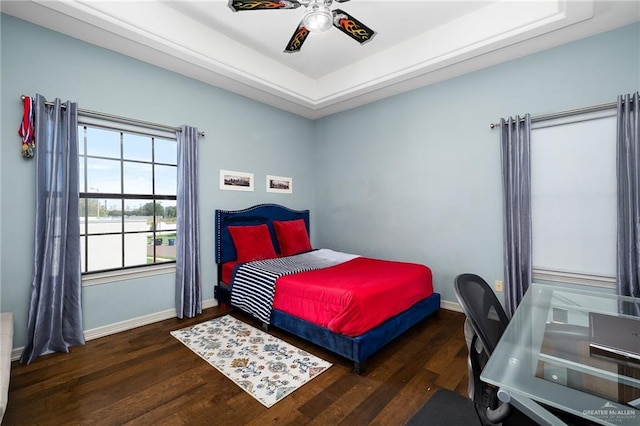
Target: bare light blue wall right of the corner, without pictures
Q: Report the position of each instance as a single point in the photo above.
(417, 176)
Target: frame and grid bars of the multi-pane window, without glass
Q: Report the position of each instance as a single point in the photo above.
(133, 271)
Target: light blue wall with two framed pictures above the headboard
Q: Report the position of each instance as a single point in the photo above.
(241, 135)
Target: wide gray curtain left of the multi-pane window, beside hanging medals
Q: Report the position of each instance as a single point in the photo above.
(55, 313)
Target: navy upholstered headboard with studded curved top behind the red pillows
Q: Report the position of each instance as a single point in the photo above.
(256, 215)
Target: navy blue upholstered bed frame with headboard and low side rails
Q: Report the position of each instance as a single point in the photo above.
(356, 349)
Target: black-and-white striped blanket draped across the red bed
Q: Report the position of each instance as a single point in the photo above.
(253, 284)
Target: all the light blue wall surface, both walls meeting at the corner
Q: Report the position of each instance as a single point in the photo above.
(414, 177)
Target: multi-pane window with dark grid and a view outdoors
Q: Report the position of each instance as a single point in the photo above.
(128, 187)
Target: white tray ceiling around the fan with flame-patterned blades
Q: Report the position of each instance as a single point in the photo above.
(417, 42)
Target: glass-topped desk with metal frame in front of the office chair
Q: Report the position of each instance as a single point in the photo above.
(544, 357)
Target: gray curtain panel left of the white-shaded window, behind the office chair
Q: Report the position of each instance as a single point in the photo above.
(515, 149)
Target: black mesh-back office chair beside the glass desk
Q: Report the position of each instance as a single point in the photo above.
(488, 321)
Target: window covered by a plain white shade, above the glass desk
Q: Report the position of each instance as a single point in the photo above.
(573, 199)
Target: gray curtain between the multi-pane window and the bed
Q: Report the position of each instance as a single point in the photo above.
(188, 286)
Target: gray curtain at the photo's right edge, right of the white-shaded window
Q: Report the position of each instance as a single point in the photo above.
(628, 171)
